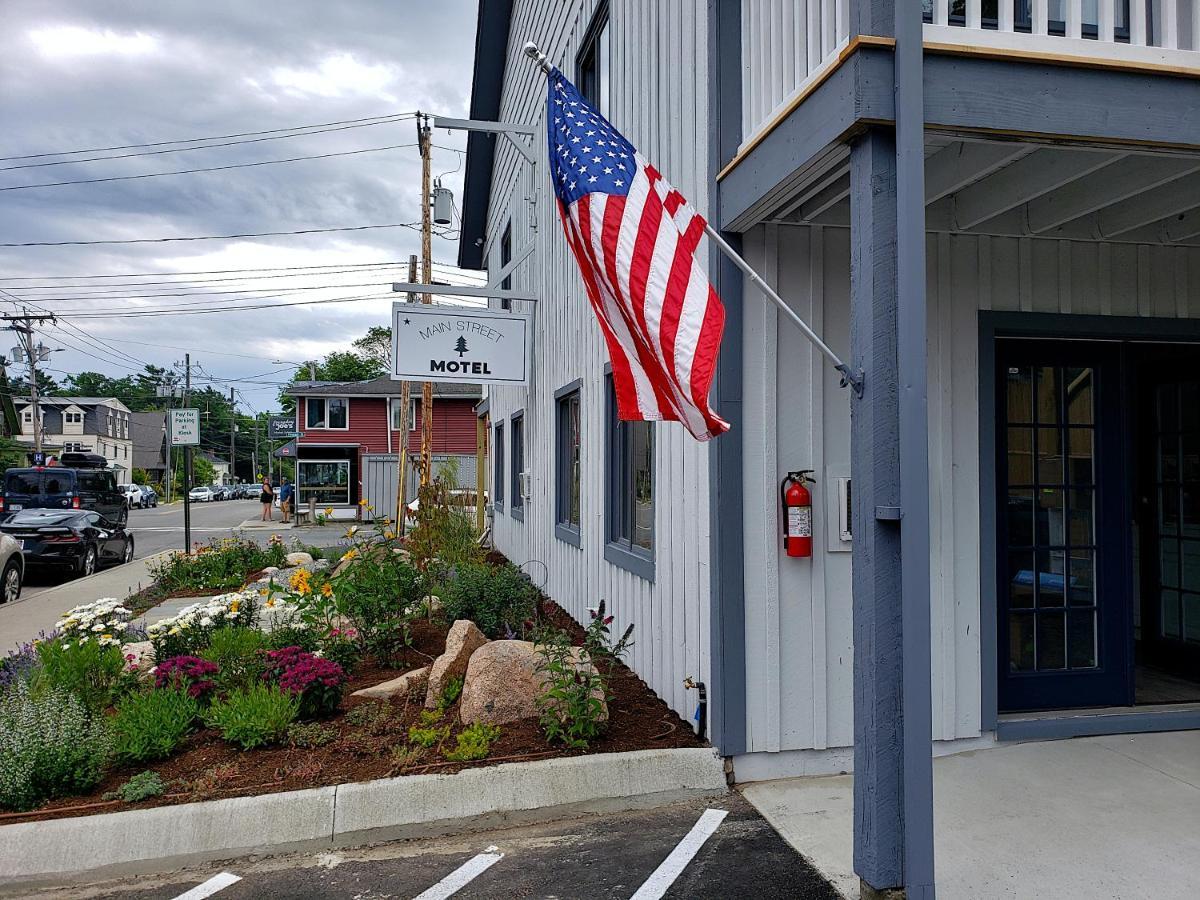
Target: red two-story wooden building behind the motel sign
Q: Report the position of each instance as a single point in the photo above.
(351, 434)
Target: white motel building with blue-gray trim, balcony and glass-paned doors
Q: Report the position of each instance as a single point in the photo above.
(1059, 458)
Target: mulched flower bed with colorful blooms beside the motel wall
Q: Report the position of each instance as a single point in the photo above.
(230, 710)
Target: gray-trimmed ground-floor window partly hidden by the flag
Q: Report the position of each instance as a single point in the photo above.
(631, 491)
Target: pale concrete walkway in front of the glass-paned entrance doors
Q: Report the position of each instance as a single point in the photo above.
(1115, 817)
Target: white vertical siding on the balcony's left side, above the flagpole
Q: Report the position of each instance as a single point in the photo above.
(784, 45)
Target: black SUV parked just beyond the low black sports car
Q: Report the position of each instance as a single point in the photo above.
(80, 482)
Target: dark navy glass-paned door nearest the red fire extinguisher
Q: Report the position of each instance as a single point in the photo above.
(1064, 599)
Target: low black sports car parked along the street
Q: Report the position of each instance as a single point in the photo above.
(80, 541)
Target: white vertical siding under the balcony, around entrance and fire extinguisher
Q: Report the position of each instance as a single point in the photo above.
(799, 613)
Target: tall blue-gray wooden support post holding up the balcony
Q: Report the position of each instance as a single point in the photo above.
(890, 466)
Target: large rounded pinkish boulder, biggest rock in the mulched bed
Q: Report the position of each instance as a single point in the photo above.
(503, 683)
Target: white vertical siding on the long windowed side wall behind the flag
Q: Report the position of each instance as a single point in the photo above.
(659, 63)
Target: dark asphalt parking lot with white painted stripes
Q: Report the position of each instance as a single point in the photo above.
(677, 851)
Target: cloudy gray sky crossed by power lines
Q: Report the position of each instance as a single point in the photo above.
(79, 75)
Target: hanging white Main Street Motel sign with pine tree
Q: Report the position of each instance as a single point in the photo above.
(459, 344)
